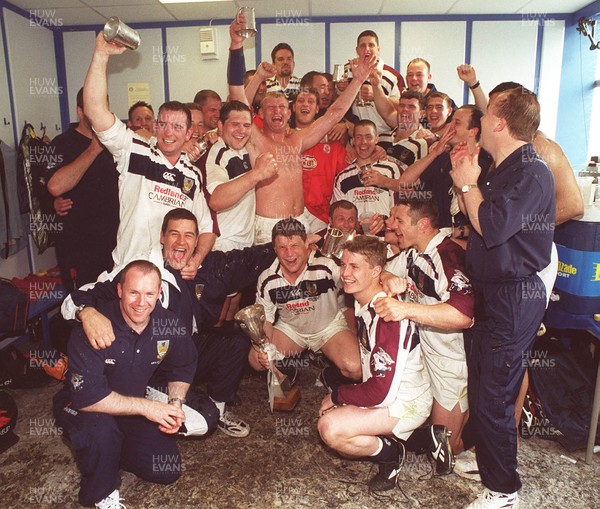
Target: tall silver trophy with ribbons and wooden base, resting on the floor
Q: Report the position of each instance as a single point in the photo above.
(281, 395)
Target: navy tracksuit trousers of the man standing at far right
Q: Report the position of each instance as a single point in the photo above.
(507, 317)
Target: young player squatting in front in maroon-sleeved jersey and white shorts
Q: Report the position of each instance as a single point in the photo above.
(371, 420)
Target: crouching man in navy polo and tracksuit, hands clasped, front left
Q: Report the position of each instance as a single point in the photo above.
(102, 406)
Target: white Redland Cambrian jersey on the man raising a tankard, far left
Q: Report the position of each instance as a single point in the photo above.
(149, 186)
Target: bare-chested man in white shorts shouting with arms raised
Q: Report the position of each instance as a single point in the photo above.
(281, 196)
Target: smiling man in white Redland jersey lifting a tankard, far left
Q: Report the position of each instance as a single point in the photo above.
(155, 175)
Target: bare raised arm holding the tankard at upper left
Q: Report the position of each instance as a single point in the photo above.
(95, 89)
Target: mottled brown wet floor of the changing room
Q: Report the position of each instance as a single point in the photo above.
(282, 463)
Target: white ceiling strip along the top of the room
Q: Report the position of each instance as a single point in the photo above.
(92, 12)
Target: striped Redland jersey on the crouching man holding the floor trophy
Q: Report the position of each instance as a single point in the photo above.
(311, 303)
